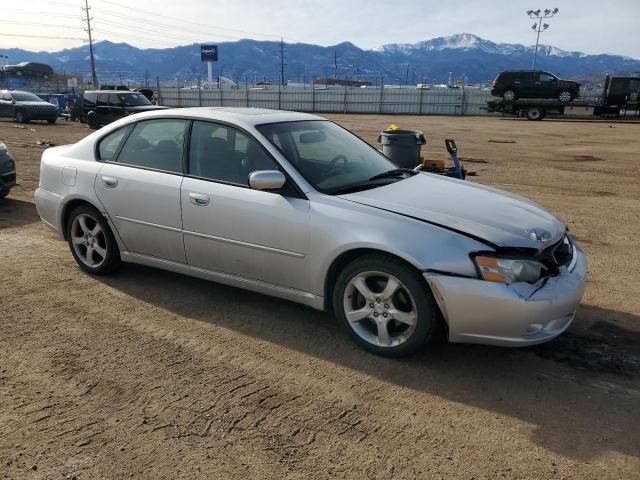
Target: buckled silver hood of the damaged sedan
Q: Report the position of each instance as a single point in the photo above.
(500, 218)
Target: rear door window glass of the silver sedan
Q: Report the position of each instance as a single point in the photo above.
(157, 144)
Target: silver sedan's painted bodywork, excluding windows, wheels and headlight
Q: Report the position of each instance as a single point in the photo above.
(285, 246)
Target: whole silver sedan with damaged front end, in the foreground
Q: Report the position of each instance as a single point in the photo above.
(294, 206)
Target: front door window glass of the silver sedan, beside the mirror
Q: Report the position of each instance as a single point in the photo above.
(219, 152)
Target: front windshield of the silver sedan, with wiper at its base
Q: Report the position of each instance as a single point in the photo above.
(329, 157)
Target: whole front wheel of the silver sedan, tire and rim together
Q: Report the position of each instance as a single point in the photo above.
(385, 305)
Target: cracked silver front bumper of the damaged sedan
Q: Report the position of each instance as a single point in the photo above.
(520, 314)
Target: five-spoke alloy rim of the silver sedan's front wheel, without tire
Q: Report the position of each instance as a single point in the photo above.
(380, 309)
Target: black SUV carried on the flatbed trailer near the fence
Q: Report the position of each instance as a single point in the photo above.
(514, 84)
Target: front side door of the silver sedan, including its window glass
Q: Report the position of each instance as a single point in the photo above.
(231, 228)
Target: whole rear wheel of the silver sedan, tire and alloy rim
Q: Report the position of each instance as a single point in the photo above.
(91, 241)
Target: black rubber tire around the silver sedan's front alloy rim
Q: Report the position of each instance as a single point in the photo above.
(428, 314)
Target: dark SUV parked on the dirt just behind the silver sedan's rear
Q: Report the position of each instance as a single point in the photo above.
(101, 107)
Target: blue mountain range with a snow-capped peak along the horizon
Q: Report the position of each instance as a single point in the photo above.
(465, 55)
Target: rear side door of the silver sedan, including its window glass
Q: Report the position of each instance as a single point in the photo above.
(139, 185)
